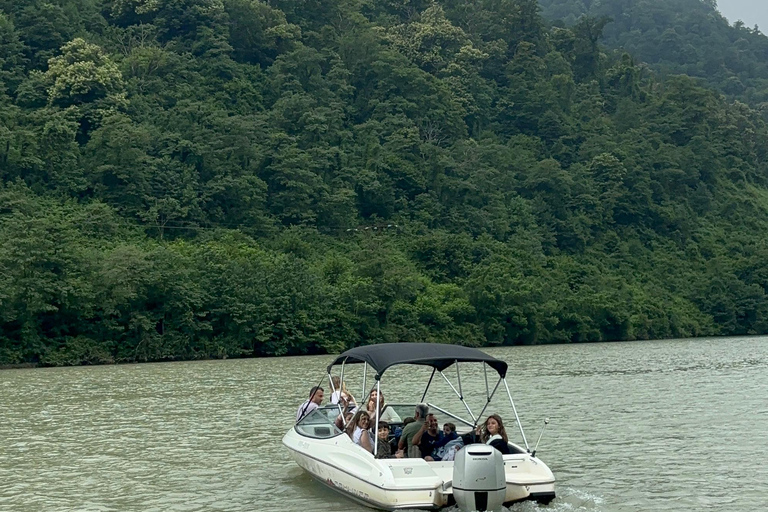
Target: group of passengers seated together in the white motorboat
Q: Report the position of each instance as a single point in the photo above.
(420, 436)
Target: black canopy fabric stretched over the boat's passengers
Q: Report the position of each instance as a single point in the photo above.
(382, 356)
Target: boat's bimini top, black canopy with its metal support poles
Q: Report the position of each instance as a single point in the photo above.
(382, 356)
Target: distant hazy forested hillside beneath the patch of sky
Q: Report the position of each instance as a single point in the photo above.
(687, 37)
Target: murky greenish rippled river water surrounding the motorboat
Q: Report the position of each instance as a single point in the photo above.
(667, 425)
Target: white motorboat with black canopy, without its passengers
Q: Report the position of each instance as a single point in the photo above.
(330, 456)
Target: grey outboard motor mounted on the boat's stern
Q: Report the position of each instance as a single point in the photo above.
(478, 478)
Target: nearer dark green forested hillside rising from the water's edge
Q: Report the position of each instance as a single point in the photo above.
(227, 178)
